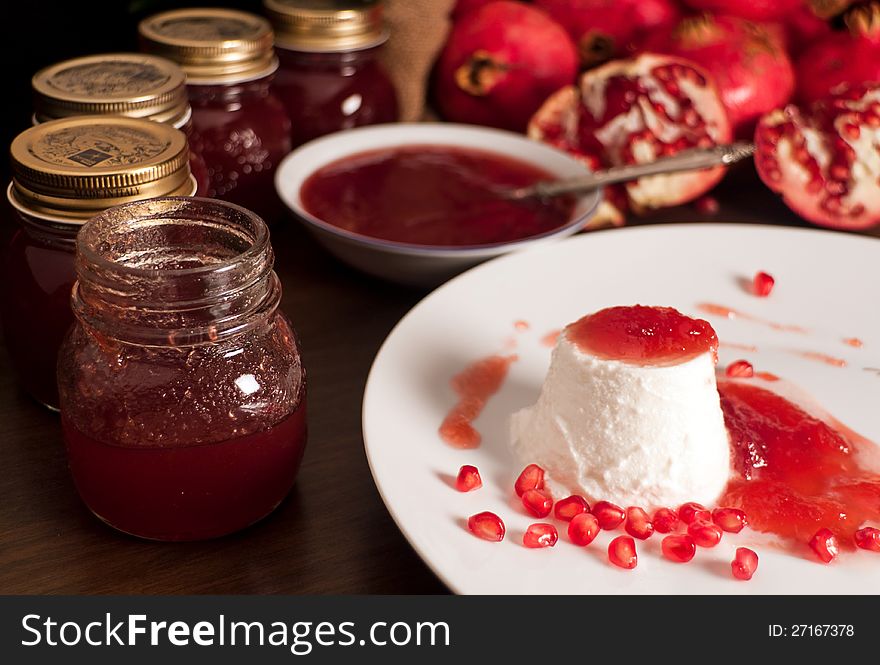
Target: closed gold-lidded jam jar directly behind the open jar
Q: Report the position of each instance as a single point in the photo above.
(65, 171)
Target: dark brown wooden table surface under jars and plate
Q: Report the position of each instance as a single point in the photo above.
(333, 534)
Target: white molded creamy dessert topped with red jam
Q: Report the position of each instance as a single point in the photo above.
(629, 411)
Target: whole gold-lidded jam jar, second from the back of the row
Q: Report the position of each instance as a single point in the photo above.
(239, 125)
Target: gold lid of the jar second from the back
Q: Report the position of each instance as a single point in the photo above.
(213, 46)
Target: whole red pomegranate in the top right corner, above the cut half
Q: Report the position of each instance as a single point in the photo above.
(851, 56)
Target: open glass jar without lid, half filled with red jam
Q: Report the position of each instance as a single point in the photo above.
(182, 390)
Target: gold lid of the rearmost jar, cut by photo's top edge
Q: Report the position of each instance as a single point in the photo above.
(326, 25)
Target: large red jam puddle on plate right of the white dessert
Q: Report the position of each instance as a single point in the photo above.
(794, 473)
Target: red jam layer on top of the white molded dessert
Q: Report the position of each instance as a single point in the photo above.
(643, 335)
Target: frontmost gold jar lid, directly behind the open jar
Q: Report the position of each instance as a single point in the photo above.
(70, 169)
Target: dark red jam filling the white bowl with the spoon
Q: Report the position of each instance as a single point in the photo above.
(433, 196)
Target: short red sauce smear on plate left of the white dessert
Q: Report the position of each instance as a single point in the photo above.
(474, 386)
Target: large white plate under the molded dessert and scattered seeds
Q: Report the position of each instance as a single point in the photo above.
(825, 282)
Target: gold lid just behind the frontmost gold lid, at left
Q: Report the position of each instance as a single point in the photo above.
(130, 84)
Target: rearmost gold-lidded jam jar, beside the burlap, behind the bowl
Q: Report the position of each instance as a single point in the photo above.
(330, 77)
